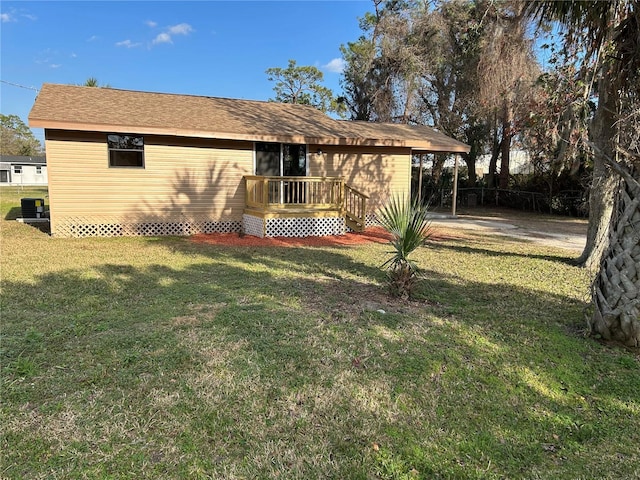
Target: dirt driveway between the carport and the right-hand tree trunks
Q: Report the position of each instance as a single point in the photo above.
(551, 230)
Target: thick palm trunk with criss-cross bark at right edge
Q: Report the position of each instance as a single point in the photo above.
(616, 290)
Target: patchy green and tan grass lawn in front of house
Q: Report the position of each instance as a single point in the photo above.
(159, 358)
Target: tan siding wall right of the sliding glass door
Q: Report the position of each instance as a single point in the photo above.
(378, 174)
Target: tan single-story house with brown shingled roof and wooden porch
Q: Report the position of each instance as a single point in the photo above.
(124, 162)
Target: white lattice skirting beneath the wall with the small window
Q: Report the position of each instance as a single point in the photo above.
(109, 227)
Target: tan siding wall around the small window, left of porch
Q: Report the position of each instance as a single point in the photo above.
(183, 179)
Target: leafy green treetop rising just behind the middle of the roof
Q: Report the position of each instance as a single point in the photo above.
(301, 84)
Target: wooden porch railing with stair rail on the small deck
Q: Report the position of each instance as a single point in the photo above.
(282, 194)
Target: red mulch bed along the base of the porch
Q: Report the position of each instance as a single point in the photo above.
(371, 235)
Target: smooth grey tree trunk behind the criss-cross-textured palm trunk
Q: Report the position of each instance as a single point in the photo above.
(603, 184)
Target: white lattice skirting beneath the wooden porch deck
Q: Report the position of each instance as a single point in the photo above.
(293, 227)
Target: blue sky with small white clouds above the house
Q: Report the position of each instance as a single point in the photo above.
(200, 48)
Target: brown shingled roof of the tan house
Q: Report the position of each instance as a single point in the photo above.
(68, 107)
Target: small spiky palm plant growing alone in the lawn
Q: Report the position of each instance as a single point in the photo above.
(408, 223)
